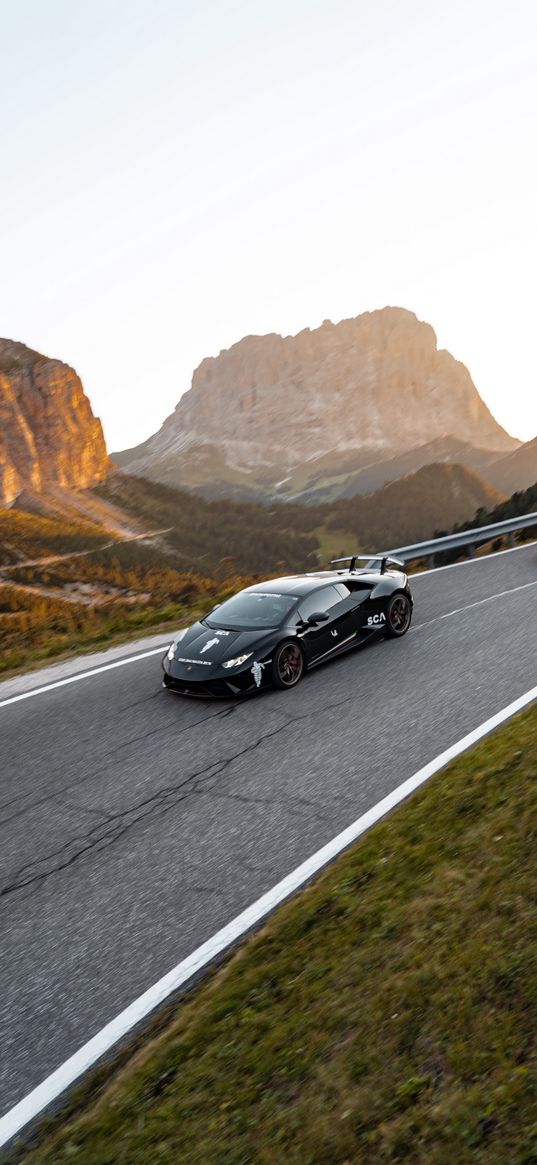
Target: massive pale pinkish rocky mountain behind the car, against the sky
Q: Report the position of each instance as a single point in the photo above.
(377, 384)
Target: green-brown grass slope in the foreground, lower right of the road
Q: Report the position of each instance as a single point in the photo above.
(388, 1014)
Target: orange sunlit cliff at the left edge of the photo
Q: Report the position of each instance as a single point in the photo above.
(48, 433)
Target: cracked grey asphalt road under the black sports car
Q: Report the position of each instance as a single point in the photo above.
(135, 824)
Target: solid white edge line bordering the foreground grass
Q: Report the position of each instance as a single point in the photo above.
(109, 1036)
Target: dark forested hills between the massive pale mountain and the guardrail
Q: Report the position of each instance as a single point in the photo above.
(259, 538)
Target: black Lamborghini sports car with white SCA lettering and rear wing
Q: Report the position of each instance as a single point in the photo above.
(270, 634)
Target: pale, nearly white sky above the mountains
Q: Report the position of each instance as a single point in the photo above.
(178, 175)
